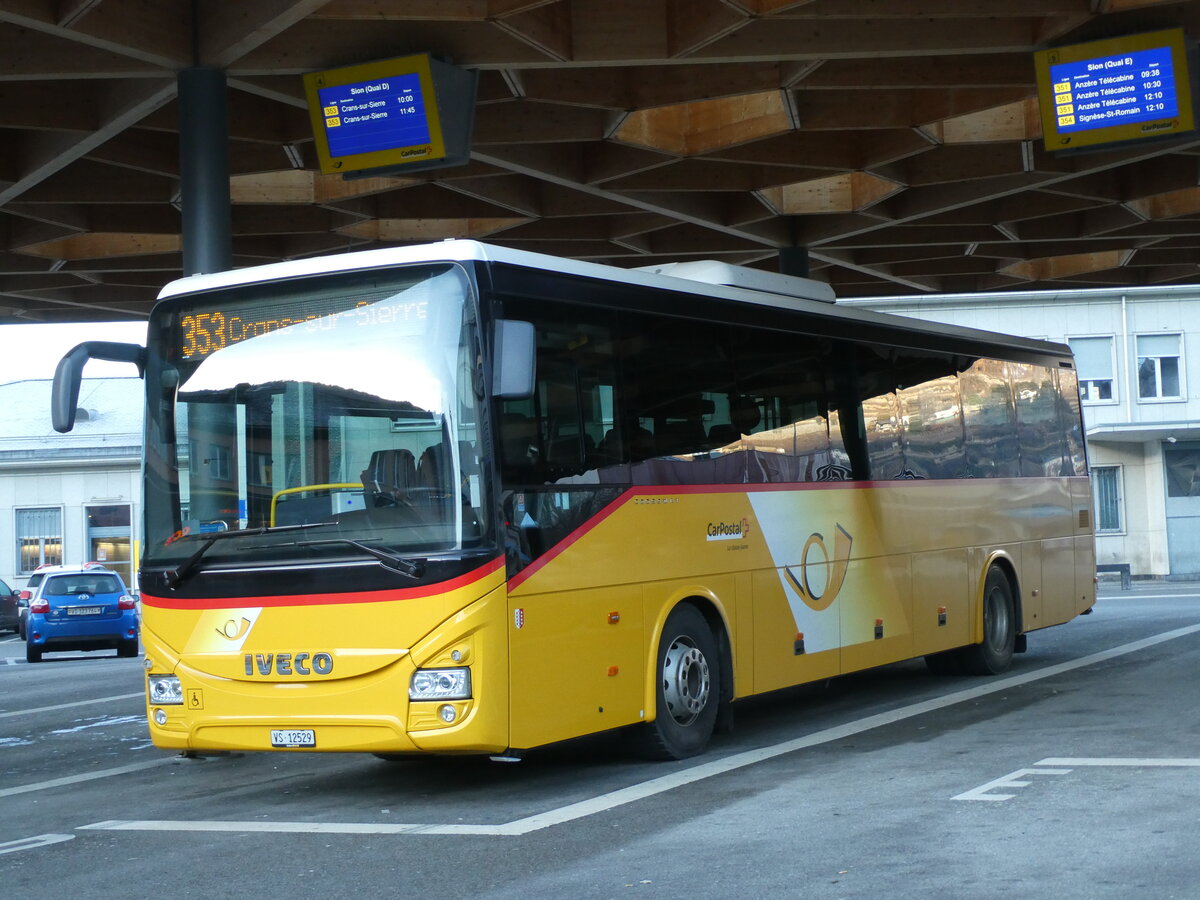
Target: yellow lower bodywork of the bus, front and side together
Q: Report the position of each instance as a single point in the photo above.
(803, 583)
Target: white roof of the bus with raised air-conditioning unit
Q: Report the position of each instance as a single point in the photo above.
(703, 279)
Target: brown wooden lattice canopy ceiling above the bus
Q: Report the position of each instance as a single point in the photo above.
(899, 141)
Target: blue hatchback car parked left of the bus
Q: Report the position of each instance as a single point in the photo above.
(81, 609)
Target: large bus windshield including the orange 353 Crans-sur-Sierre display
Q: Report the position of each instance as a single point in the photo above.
(322, 418)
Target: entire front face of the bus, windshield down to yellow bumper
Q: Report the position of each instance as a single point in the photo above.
(321, 568)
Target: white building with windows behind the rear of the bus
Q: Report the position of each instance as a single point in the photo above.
(1138, 355)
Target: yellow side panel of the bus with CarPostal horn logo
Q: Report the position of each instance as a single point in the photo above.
(856, 575)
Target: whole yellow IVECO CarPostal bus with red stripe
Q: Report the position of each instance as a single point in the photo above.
(465, 500)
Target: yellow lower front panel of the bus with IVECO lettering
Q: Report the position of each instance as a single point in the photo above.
(236, 694)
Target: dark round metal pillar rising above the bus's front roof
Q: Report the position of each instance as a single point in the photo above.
(205, 171)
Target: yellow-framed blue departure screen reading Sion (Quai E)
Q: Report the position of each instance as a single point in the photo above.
(1117, 91)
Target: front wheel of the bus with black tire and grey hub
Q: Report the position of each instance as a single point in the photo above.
(688, 688)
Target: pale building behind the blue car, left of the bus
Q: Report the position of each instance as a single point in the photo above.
(70, 499)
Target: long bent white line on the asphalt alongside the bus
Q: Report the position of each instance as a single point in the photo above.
(659, 785)
